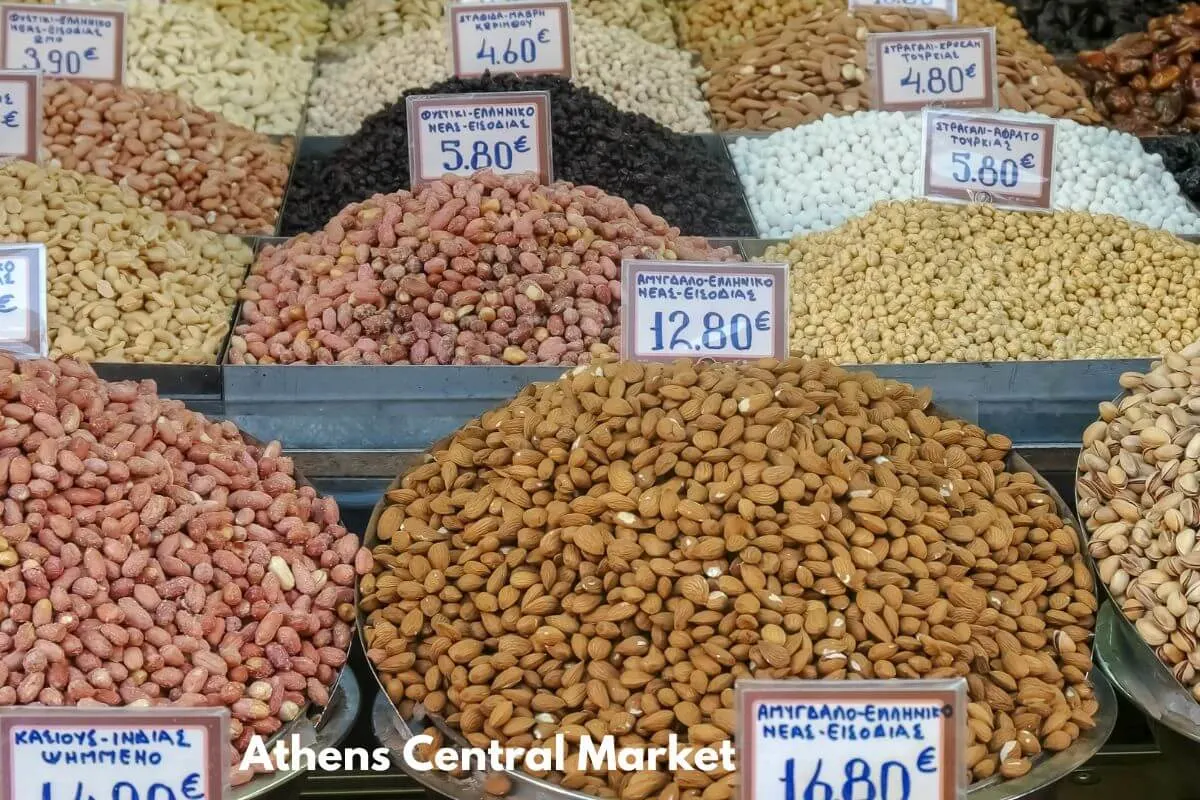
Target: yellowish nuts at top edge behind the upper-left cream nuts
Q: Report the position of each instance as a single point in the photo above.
(290, 27)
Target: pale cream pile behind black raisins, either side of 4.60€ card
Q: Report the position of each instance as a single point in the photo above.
(634, 75)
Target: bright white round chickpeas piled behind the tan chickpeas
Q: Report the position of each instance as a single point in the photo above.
(817, 177)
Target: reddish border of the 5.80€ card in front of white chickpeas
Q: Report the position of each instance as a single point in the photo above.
(1043, 151)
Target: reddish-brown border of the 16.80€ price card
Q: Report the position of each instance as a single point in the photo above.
(946, 694)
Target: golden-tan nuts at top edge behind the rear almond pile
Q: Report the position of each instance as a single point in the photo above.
(717, 28)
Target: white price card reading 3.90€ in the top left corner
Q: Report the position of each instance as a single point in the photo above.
(64, 43)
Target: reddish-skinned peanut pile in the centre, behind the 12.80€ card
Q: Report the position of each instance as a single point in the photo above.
(466, 270)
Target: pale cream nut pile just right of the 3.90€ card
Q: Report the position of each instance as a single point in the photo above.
(194, 52)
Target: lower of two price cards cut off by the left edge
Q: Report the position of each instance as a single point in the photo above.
(23, 303)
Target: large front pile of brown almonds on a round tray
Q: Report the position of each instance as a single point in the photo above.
(609, 554)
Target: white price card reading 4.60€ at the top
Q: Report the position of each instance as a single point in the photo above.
(519, 38)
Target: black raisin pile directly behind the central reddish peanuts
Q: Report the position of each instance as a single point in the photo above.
(687, 181)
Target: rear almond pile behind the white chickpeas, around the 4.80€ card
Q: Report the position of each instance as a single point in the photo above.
(817, 65)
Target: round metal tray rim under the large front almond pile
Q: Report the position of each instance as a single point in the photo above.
(393, 731)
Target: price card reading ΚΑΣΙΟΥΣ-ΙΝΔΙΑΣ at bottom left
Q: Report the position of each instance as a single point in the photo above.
(69, 754)
